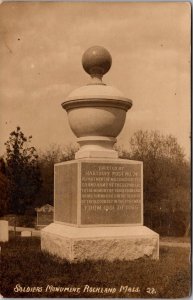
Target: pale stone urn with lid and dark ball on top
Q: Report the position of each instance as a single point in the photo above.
(96, 111)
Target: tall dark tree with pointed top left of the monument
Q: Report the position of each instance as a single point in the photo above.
(22, 170)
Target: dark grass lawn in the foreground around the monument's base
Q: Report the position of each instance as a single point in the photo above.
(27, 272)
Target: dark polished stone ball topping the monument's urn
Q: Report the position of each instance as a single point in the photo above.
(96, 60)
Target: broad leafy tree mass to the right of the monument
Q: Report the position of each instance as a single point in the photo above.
(166, 180)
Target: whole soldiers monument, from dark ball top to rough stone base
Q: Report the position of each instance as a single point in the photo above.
(98, 198)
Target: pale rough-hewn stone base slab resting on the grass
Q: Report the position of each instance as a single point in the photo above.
(94, 243)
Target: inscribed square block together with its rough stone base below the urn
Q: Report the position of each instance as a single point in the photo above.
(98, 212)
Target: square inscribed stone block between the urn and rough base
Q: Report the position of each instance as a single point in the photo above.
(97, 192)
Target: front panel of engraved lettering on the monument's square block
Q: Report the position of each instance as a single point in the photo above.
(111, 193)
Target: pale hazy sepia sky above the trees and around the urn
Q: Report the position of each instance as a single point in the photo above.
(41, 47)
